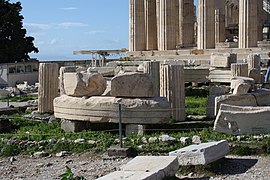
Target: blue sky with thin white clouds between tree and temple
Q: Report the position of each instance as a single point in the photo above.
(63, 26)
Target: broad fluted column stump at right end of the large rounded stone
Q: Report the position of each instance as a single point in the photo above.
(172, 86)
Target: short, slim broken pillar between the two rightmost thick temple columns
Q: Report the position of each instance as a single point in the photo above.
(220, 21)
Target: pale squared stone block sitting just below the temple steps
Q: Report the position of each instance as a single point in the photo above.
(223, 60)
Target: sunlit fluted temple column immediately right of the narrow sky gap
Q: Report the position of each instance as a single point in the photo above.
(206, 24)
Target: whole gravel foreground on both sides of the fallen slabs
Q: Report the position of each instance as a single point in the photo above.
(29, 168)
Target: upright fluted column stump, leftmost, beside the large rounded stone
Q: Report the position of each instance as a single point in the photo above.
(48, 86)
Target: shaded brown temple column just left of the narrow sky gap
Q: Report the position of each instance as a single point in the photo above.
(186, 22)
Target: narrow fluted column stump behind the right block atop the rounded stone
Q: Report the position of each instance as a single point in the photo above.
(153, 68)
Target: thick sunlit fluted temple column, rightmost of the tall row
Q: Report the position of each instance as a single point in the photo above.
(248, 26)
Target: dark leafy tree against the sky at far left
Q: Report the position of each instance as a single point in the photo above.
(14, 44)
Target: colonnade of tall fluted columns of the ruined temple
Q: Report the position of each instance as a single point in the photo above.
(172, 24)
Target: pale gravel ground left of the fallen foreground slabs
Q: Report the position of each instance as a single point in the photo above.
(30, 168)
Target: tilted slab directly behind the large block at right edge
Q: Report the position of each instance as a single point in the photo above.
(235, 99)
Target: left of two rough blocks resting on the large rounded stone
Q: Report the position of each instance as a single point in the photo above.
(84, 84)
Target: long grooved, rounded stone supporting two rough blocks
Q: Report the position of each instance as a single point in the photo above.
(106, 109)
